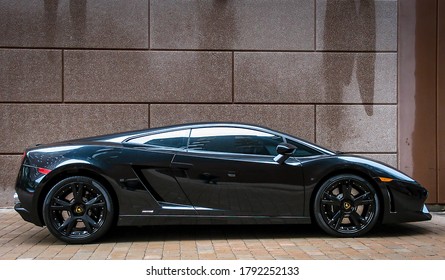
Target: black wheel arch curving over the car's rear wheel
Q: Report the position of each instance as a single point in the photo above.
(77, 170)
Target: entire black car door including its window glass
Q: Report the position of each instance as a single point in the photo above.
(230, 171)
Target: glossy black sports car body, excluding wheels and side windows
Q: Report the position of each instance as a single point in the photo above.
(163, 185)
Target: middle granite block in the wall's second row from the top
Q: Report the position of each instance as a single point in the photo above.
(155, 76)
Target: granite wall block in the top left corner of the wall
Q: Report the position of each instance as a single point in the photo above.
(120, 24)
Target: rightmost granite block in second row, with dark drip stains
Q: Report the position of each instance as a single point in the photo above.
(281, 77)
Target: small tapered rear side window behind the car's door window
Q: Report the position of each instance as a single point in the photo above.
(172, 139)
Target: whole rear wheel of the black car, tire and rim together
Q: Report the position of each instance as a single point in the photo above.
(78, 210)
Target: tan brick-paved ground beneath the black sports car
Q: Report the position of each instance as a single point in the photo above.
(425, 240)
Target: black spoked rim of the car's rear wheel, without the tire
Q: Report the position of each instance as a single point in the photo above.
(78, 209)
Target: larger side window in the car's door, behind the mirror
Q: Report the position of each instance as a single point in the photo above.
(234, 140)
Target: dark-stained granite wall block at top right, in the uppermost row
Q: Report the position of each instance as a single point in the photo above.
(357, 25)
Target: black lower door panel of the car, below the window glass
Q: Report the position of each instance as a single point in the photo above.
(247, 185)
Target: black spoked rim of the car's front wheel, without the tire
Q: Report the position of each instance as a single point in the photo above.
(348, 206)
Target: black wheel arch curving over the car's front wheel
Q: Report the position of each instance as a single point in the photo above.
(351, 171)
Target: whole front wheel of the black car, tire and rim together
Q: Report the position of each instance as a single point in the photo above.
(346, 206)
